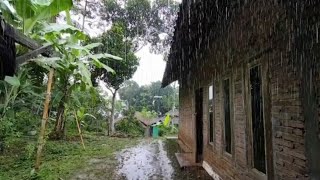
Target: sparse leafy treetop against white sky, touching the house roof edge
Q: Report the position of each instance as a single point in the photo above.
(147, 21)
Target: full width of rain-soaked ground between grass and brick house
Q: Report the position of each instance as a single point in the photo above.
(151, 159)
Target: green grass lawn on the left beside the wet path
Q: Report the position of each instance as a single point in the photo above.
(62, 159)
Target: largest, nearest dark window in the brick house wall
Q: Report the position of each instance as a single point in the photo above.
(258, 137)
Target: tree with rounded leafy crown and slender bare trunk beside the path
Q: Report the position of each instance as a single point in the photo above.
(114, 41)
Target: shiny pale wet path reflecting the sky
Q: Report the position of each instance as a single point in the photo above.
(148, 160)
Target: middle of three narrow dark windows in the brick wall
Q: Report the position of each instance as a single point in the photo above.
(227, 116)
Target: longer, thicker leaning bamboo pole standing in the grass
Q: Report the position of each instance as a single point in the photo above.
(44, 120)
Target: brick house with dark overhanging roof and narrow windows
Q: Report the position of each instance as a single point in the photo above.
(249, 85)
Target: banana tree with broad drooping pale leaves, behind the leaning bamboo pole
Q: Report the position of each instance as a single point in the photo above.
(72, 66)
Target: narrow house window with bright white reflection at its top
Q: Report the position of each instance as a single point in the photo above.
(211, 113)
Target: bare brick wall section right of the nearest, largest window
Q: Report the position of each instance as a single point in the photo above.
(287, 119)
